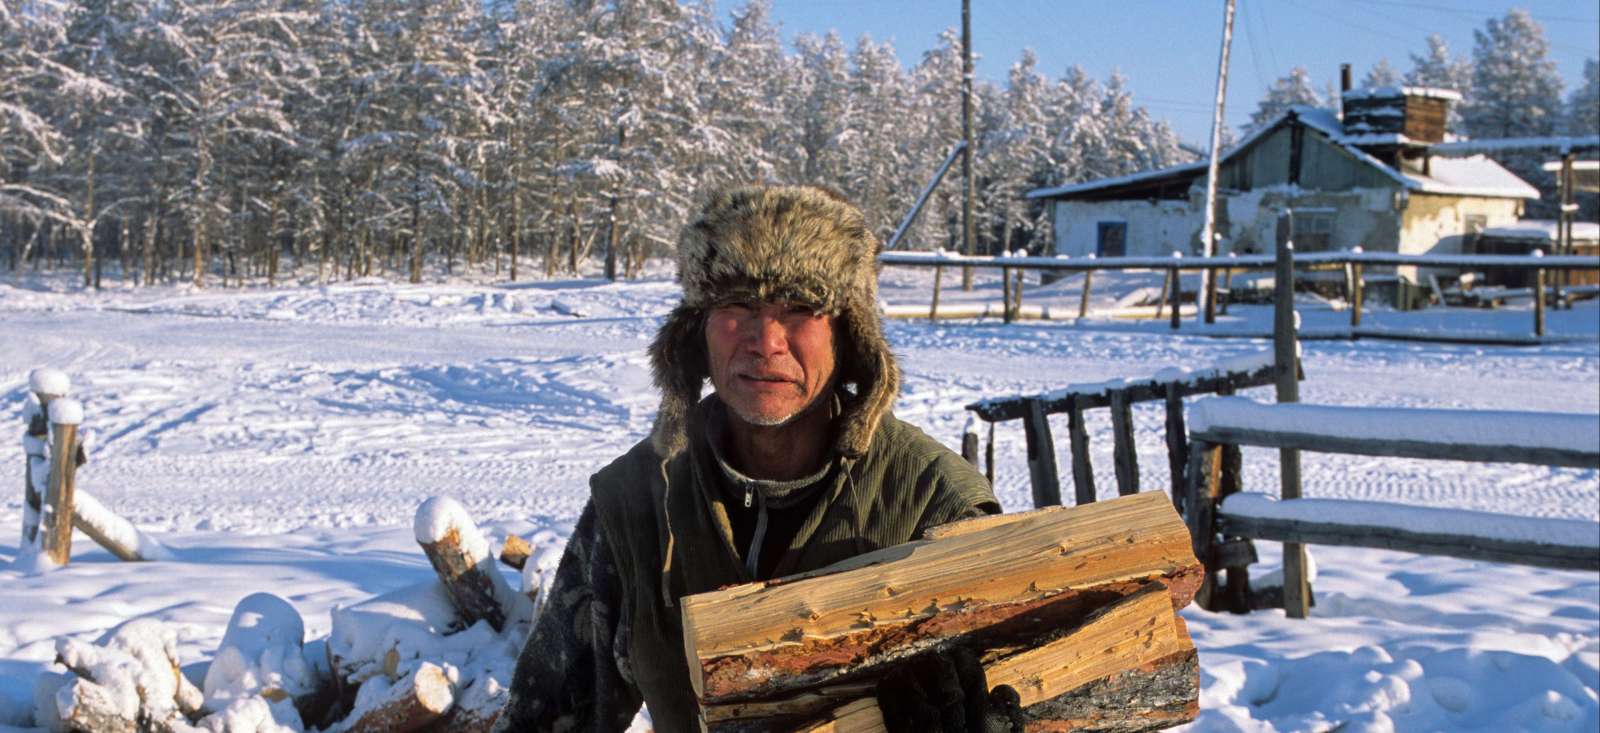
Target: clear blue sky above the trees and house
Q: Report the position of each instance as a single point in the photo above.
(1169, 50)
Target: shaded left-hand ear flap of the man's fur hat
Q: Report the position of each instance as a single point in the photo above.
(678, 364)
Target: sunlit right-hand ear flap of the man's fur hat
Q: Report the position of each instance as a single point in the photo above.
(871, 366)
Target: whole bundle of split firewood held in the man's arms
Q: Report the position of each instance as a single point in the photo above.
(1073, 607)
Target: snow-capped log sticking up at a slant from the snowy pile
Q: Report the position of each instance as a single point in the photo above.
(462, 558)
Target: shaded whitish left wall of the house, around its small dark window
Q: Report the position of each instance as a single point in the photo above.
(1154, 228)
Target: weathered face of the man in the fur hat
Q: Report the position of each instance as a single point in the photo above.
(769, 361)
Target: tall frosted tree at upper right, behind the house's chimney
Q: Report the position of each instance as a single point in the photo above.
(1516, 90)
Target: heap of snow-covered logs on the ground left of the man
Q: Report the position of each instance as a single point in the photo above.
(425, 659)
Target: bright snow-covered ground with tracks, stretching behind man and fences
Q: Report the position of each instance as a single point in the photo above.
(282, 439)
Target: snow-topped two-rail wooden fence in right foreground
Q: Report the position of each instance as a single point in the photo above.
(1225, 523)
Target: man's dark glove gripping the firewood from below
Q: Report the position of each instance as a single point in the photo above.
(948, 692)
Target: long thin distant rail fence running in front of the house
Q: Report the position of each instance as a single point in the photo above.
(1353, 263)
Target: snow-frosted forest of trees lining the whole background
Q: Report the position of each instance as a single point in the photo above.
(215, 142)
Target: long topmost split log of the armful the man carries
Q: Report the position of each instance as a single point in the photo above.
(999, 587)
